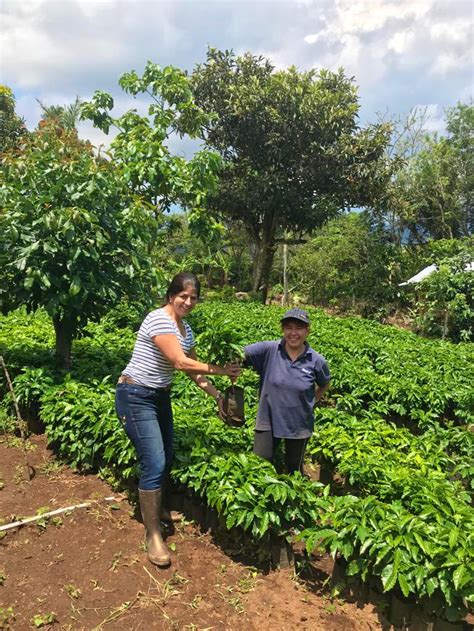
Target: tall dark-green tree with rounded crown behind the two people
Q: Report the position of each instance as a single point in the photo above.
(293, 153)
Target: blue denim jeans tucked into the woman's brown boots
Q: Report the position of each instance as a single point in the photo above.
(147, 417)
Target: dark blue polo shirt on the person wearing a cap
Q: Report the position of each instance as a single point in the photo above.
(287, 387)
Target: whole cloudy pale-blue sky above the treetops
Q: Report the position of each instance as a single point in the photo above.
(401, 53)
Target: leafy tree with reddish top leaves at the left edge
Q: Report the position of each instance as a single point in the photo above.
(72, 239)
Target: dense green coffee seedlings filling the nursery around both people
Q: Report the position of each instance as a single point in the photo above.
(394, 438)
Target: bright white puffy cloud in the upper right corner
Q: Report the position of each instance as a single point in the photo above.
(383, 43)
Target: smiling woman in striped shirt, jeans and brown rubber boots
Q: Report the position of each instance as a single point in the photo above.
(164, 343)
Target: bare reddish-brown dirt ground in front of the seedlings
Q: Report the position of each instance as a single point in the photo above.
(89, 567)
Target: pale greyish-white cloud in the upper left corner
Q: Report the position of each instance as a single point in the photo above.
(51, 42)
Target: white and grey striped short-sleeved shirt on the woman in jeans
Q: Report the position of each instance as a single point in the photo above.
(148, 366)
